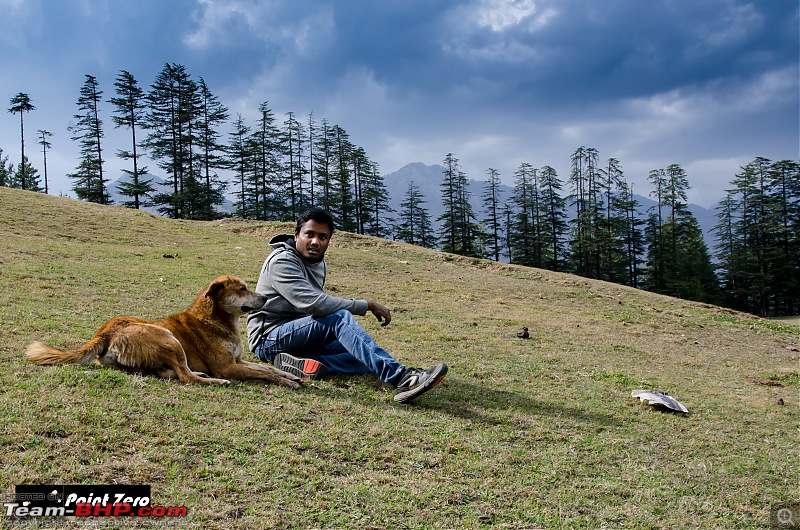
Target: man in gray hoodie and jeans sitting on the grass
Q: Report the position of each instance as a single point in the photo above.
(306, 332)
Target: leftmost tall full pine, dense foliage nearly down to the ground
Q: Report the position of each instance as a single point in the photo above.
(90, 183)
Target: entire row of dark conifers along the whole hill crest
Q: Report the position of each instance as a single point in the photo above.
(588, 225)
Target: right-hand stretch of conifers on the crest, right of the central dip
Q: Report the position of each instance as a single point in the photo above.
(590, 225)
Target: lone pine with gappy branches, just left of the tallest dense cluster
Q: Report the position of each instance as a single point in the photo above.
(129, 111)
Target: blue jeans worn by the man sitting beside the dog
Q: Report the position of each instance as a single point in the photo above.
(337, 340)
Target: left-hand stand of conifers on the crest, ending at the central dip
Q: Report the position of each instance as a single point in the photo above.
(275, 169)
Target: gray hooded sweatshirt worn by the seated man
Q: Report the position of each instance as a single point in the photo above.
(294, 289)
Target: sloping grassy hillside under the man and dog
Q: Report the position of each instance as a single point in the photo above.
(536, 433)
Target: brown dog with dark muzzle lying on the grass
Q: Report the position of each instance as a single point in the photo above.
(204, 339)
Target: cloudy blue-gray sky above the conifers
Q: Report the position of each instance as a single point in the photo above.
(708, 84)
